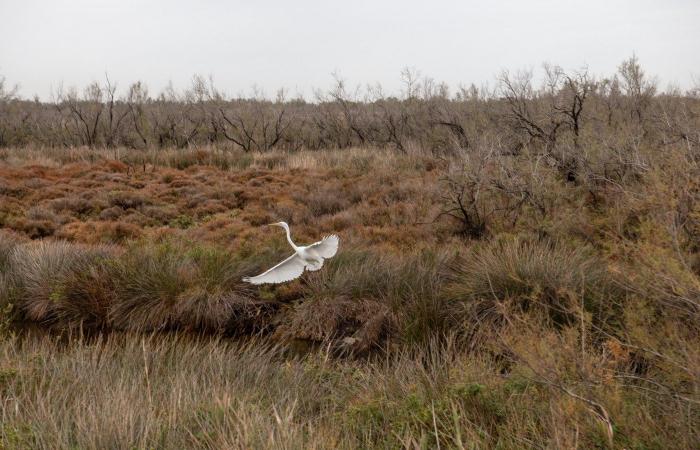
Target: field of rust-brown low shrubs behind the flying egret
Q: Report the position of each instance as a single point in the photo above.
(94, 202)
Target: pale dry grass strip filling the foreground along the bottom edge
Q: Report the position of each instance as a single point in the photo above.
(166, 391)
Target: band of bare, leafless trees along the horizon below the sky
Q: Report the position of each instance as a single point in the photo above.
(566, 109)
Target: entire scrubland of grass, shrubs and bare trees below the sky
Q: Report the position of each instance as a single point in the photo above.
(523, 274)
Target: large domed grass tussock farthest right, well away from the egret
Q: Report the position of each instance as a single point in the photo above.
(547, 278)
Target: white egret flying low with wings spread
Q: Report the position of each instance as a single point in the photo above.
(309, 257)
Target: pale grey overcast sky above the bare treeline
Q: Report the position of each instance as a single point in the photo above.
(298, 44)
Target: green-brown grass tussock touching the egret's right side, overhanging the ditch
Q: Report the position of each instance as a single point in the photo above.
(364, 295)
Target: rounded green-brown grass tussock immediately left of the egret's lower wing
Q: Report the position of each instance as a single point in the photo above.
(173, 284)
